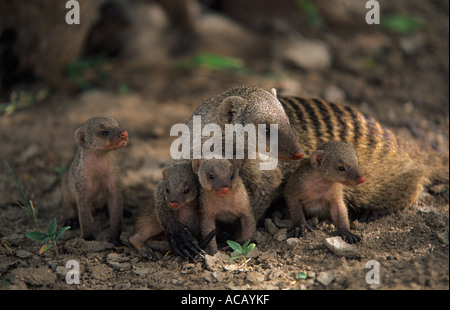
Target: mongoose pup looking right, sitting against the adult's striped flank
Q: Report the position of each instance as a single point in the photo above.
(316, 188)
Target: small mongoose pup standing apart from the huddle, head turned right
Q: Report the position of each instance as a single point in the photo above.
(92, 179)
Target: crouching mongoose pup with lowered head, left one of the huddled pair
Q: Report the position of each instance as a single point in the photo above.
(177, 194)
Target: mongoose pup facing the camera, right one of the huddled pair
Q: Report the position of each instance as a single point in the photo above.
(223, 197)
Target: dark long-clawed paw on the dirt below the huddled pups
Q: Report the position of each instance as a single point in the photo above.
(184, 244)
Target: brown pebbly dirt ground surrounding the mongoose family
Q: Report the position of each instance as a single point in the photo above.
(399, 79)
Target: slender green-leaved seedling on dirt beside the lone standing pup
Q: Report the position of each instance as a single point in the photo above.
(51, 235)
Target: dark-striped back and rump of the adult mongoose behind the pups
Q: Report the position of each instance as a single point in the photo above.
(396, 169)
